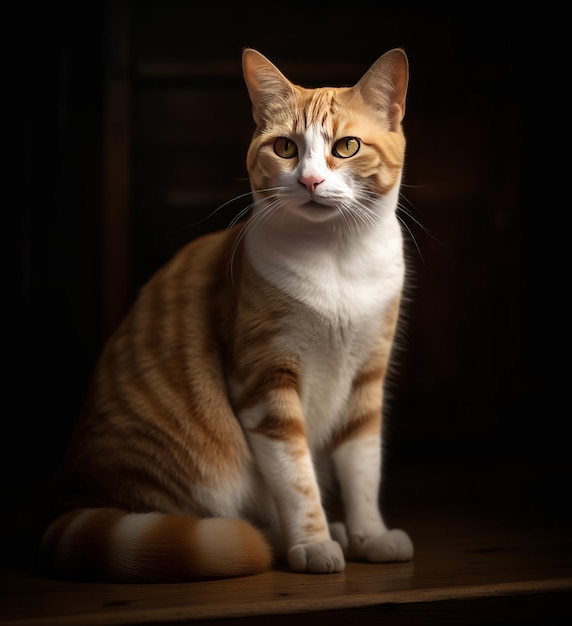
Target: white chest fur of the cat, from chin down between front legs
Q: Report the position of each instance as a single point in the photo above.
(341, 281)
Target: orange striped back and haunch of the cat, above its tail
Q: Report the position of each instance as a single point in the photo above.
(160, 385)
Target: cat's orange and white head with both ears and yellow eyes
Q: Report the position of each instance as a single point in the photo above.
(320, 153)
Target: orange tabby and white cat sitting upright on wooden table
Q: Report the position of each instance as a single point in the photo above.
(234, 418)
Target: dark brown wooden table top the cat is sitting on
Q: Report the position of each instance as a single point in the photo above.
(478, 560)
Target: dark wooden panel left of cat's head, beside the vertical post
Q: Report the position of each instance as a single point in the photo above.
(189, 163)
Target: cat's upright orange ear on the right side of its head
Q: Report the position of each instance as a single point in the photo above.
(384, 85)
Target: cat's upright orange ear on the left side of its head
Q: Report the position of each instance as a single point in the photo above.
(265, 83)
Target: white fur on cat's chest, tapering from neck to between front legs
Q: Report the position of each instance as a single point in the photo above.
(340, 297)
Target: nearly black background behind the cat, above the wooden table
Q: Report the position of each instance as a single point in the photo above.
(136, 127)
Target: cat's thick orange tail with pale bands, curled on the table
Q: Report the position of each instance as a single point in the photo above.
(117, 546)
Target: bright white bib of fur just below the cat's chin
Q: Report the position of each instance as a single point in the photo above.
(342, 275)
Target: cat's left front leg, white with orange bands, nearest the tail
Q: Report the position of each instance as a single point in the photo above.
(276, 433)
